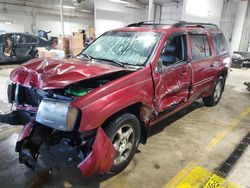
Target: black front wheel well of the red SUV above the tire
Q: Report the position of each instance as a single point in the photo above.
(134, 109)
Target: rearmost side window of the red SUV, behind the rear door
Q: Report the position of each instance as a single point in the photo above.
(219, 43)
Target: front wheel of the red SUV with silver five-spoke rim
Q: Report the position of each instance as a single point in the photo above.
(124, 132)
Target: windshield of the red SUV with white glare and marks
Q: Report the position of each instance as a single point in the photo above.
(128, 48)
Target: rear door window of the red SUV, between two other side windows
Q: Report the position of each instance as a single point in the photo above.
(200, 46)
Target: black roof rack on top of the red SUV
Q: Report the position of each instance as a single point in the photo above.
(178, 24)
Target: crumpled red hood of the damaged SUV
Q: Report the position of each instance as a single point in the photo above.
(58, 73)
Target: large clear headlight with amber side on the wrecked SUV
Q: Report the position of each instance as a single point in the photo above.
(57, 114)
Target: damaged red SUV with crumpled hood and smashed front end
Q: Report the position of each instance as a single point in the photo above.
(104, 101)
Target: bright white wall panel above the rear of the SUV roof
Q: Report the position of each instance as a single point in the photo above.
(202, 11)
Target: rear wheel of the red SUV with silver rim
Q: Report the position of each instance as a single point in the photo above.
(215, 96)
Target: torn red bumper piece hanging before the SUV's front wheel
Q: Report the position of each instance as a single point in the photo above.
(102, 156)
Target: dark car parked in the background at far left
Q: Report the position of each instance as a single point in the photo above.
(21, 47)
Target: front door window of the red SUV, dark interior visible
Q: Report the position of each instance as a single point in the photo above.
(174, 51)
